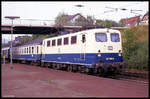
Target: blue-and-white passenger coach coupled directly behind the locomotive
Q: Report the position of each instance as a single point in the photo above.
(29, 52)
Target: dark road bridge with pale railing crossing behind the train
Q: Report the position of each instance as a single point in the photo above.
(33, 26)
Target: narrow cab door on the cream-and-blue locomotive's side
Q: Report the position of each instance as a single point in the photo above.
(83, 46)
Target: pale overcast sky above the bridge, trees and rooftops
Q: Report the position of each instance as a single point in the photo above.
(49, 10)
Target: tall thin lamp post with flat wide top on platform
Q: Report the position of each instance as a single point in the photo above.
(11, 18)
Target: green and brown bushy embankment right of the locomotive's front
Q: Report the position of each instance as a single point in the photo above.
(135, 48)
